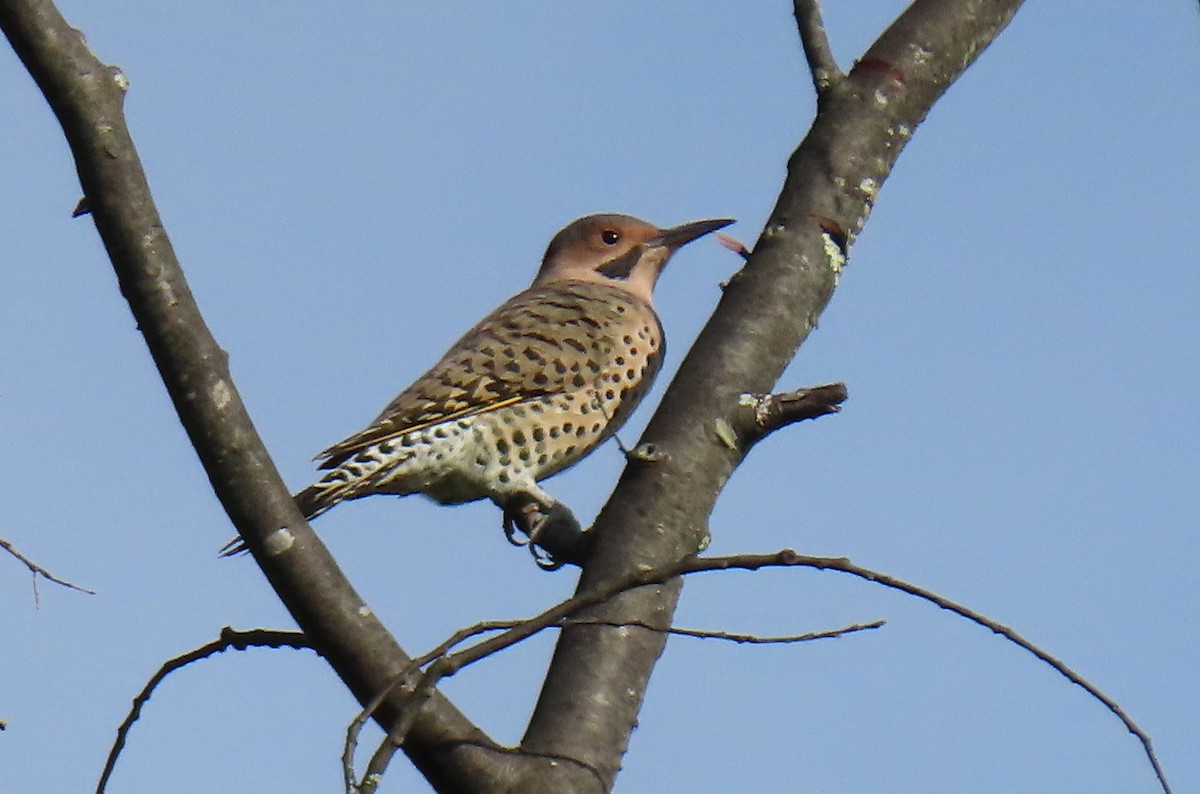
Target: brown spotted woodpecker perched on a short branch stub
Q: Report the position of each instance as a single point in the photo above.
(531, 390)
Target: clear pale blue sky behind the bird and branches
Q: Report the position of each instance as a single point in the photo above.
(350, 191)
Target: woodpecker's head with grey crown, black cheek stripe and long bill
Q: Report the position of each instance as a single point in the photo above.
(617, 250)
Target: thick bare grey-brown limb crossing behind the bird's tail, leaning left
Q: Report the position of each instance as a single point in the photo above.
(88, 97)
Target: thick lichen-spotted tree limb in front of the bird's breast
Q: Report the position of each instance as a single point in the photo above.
(659, 512)
